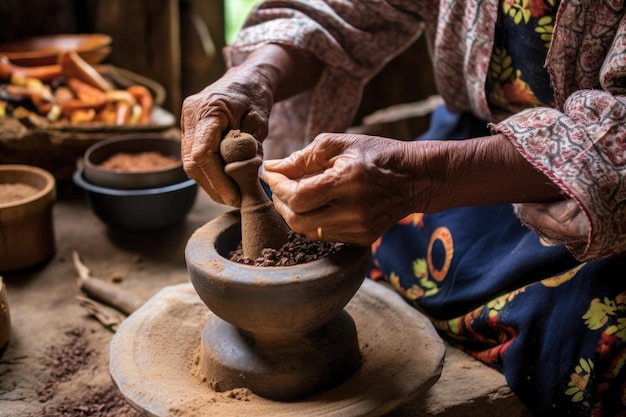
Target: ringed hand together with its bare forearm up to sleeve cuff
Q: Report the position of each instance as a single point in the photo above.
(353, 188)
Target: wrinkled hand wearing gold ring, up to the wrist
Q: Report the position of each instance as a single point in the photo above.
(355, 187)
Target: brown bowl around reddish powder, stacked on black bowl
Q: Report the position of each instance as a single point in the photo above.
(134, 144)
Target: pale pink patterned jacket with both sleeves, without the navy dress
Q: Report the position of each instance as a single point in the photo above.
(579, 142)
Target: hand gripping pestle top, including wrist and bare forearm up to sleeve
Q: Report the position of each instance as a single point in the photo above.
(241, 99)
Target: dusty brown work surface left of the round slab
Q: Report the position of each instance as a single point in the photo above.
(46, 314)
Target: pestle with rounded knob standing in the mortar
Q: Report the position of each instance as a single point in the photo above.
(261, 225)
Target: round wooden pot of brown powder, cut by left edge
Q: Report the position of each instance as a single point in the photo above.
(26, 226)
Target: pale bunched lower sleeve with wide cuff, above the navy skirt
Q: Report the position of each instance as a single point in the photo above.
(579, 147)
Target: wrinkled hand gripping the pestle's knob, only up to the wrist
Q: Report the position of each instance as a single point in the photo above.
(242, 100)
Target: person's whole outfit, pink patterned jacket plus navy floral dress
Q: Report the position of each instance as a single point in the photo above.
(550, 313)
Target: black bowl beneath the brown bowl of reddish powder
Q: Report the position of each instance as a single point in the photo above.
(141, 210)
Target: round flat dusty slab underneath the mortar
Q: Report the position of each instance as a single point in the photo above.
(154, 360)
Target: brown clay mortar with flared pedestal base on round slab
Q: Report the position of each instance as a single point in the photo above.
(280, 331)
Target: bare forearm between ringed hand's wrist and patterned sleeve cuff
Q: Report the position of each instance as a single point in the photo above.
(480, 171)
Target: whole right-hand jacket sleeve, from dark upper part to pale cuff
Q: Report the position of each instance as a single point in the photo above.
(580, 146)
